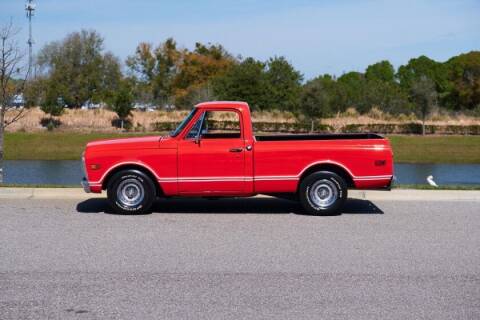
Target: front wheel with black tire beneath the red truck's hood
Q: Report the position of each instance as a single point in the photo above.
(131, 192)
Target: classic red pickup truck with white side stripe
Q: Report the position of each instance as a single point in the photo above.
(213, 153)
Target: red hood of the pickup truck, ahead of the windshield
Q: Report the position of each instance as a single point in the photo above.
(135, 143)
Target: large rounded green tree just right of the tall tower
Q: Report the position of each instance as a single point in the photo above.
(78, 68)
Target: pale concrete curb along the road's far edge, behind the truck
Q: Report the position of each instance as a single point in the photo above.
(394, 195)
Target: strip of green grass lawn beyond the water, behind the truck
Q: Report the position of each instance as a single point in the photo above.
(411, 149)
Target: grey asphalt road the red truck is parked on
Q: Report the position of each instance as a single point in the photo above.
(239, 259)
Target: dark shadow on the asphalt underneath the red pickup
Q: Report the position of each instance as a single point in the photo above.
(229, 205)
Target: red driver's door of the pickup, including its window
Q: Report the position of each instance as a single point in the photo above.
(211, 157)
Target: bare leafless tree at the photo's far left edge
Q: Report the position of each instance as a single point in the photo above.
(11, 57)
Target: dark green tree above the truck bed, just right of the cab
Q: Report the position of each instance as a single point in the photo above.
(284, 84)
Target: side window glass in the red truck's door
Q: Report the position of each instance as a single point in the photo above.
(221, 124)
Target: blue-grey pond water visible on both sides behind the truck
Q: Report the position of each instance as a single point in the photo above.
(70, 172)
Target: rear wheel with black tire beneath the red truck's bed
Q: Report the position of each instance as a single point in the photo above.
(323, 193)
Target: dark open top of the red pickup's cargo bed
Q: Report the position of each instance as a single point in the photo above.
(339, 136)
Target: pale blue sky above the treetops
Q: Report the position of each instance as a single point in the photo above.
(317, 37)
